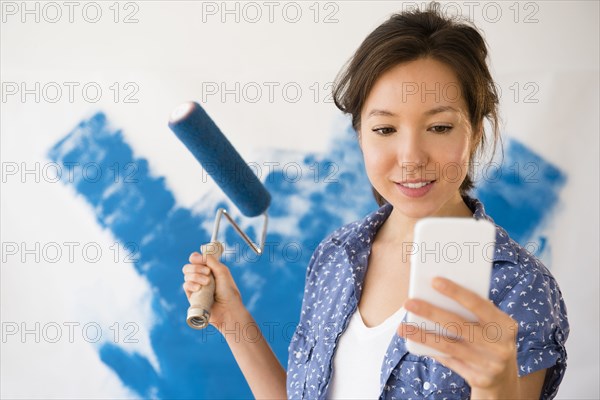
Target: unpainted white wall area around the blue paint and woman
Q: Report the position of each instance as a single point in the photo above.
(176, 50)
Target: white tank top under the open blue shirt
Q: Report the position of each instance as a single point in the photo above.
(357, 362)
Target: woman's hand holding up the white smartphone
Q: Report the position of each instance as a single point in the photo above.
(485, 355)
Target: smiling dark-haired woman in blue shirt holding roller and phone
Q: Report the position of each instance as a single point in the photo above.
(418, 90)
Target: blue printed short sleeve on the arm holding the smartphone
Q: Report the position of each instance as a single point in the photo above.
(536, 303)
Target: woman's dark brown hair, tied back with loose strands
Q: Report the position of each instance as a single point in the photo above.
(415, 34)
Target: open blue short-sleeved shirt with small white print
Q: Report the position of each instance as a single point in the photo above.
(521, 286)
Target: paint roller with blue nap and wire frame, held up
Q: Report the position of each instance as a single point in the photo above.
(222, 162)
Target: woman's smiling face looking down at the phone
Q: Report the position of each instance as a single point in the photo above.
(415, 137)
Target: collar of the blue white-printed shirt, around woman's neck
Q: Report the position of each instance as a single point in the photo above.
(358, 246)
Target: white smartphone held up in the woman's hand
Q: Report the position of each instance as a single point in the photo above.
(460, 249)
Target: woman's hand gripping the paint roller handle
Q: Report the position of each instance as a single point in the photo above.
(227, 295)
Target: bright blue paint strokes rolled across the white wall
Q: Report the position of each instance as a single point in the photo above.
(139, 208)
